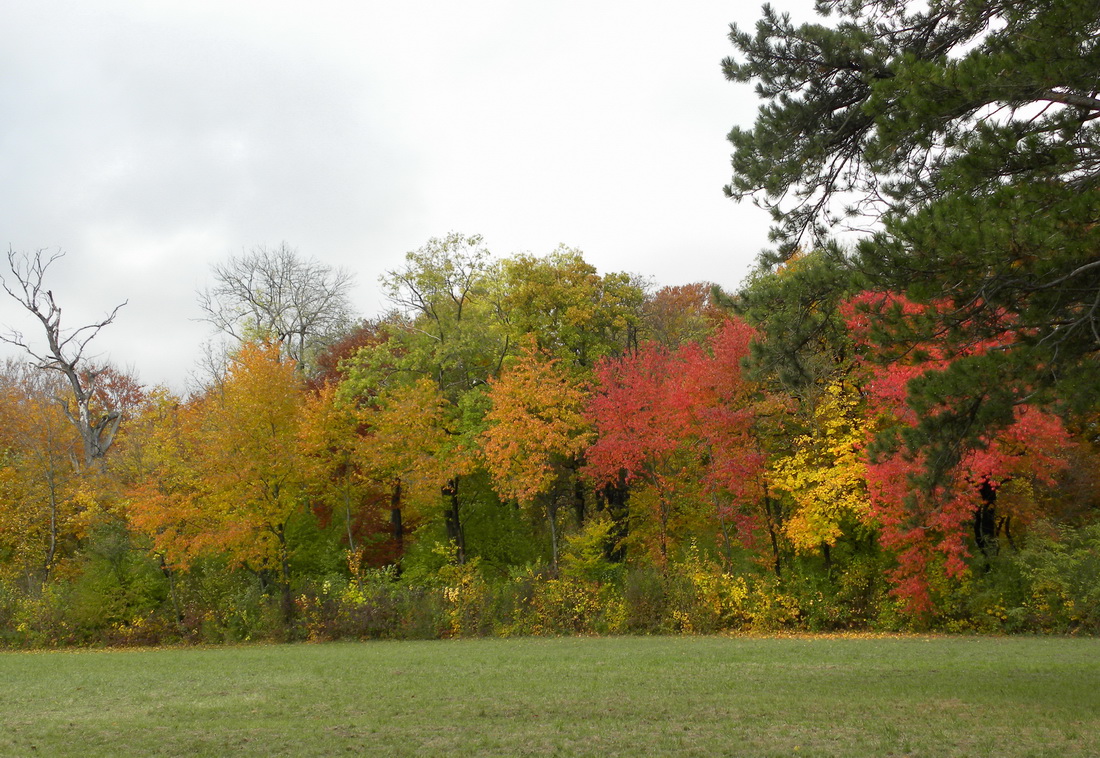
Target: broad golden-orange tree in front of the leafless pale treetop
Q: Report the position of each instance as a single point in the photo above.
(227, 476)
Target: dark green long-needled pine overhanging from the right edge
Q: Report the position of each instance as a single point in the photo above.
(969, 133)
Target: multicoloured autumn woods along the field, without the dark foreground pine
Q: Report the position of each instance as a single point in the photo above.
(516, 427)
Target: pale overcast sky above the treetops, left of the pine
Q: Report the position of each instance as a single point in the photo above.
(150, 140)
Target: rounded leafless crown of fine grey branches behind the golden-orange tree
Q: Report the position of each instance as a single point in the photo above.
(279, 295)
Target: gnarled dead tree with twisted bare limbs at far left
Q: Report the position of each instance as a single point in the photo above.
(65, 351)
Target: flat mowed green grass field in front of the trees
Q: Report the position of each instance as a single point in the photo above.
(607, 697)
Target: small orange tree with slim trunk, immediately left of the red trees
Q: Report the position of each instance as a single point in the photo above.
(537, 427)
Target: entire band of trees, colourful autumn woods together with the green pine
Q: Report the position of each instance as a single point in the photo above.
(898, 433)
